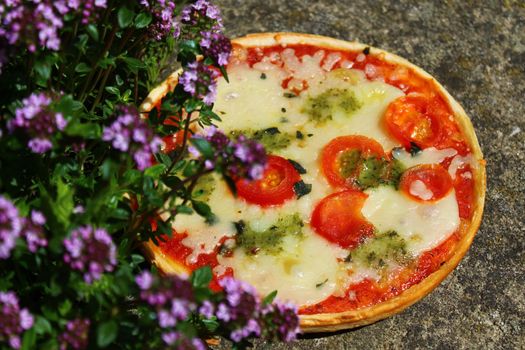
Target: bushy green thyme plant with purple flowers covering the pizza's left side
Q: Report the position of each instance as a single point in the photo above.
(86, 177)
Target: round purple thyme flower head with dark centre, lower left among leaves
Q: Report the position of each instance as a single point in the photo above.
(91, 251)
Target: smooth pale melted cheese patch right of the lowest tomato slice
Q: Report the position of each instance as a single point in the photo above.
(423, 225)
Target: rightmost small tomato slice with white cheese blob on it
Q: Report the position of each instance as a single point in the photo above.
(426, 183)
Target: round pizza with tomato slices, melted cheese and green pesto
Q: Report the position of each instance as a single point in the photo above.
(374, 187)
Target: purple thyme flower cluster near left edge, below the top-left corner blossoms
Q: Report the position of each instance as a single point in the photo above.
(38, 121)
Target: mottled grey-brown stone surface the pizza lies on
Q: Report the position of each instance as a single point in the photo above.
(477, 50)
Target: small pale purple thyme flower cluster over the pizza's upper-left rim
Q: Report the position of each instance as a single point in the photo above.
(200, 81)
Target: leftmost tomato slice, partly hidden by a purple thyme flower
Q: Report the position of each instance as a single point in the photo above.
(275, 187)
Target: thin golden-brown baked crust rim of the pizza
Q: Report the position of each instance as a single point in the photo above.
(330, 322)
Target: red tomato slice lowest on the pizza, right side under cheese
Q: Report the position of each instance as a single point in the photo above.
(338, 218)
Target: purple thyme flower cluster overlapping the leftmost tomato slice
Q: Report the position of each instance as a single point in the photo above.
(242, 158)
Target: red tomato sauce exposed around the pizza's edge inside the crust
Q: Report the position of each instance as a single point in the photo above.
(368, 292)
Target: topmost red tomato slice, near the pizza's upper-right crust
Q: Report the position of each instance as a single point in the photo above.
(414, 118)
